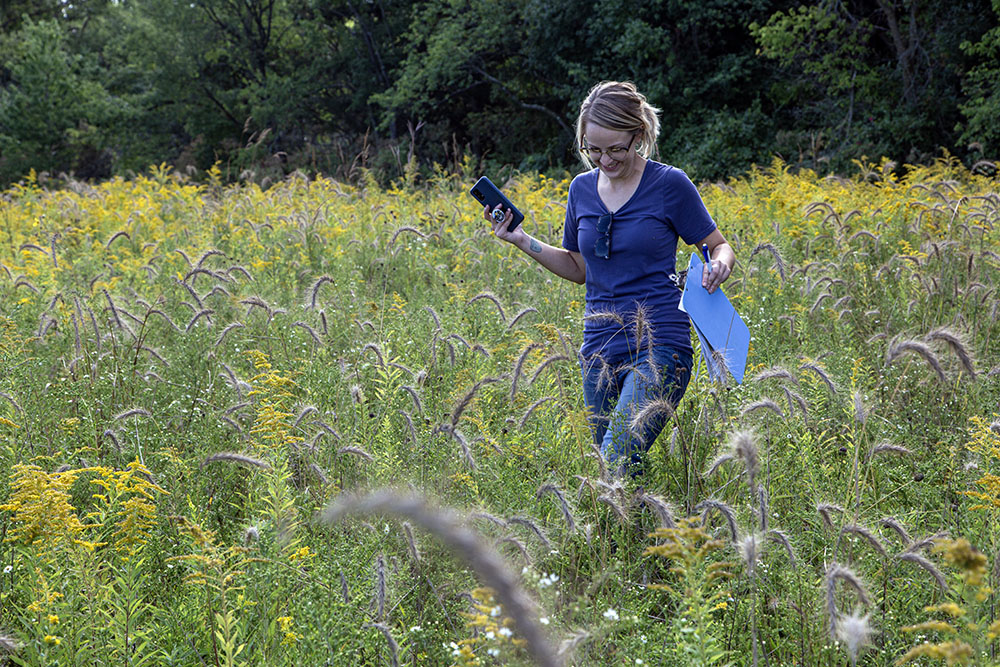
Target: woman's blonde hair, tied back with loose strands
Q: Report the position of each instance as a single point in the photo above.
(619, 106)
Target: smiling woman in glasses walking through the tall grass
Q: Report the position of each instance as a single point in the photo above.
(623, 219)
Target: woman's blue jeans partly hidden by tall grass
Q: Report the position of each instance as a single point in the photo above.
(616, 393)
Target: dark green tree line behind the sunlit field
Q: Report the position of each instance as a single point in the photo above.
(263, 87)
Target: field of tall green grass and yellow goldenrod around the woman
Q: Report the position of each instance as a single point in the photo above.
(325, 424)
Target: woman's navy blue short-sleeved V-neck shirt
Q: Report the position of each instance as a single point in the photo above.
(644, 233)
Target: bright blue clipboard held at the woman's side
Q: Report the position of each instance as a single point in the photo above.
(719, 327)
